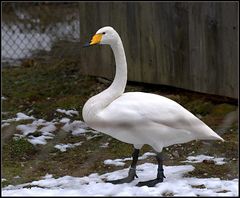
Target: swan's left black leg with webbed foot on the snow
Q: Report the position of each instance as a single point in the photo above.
(132, 171)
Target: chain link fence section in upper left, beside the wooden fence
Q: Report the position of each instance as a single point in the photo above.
(33, 29)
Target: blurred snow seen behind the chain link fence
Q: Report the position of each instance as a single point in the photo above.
(21, 45)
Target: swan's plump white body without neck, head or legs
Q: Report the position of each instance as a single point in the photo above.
(141, 118)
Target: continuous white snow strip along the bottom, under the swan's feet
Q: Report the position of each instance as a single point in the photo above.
(175, 184)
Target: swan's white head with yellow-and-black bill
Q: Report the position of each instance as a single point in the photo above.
(106, 35)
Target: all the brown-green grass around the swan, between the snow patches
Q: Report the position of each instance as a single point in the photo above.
(40, 89)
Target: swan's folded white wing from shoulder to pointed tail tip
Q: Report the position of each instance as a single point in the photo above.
(135, 108)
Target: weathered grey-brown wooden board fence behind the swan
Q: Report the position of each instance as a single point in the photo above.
(190, 45)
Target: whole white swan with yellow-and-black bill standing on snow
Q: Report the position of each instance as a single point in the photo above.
(139, 118)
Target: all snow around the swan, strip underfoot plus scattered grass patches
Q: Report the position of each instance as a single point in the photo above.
(175, 184)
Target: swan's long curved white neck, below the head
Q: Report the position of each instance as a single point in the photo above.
(97, 103)
